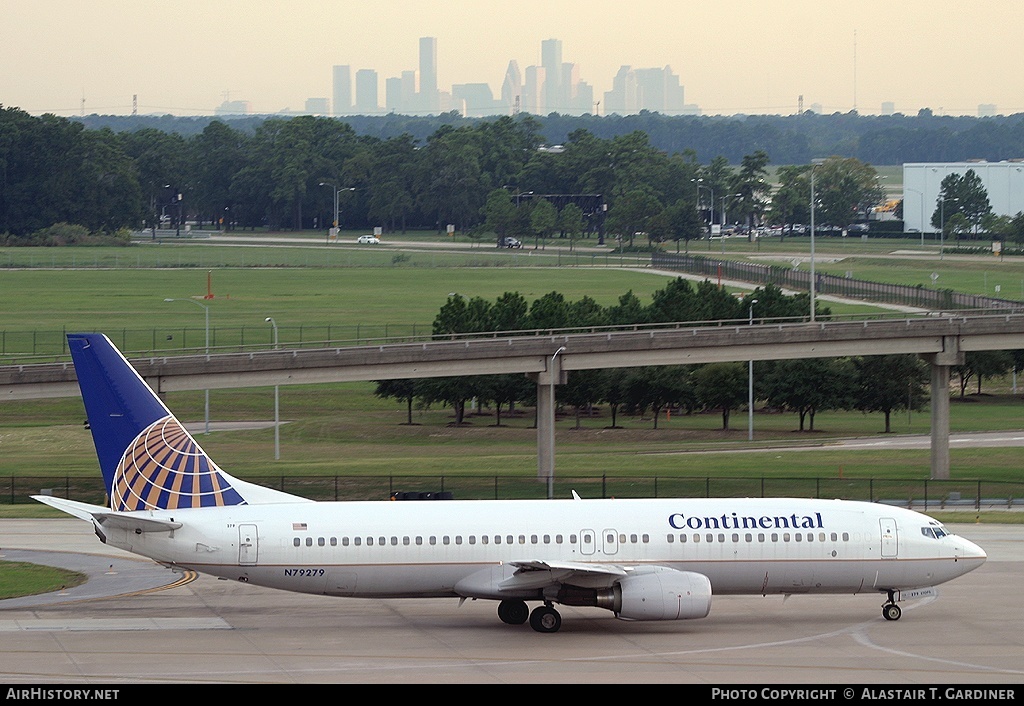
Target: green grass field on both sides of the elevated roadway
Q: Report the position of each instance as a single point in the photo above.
(345, 430)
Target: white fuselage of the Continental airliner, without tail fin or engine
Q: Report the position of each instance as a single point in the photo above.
(425, 549)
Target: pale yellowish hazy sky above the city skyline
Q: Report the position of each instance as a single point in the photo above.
(733, 56)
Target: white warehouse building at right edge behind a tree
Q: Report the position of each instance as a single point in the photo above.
(1003, 181)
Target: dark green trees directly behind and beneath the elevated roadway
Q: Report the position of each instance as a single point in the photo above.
(882, 384)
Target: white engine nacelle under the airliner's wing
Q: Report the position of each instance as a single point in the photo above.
(664, 595)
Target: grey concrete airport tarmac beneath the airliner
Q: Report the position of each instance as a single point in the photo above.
(138, 624)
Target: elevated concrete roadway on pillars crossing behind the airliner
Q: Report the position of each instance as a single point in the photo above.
(941, 340)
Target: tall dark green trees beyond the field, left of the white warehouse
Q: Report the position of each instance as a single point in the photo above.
(482, 178)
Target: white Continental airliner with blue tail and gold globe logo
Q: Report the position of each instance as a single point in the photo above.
(643, 560)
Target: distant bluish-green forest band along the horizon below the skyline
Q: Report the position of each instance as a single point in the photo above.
(898, 139)
